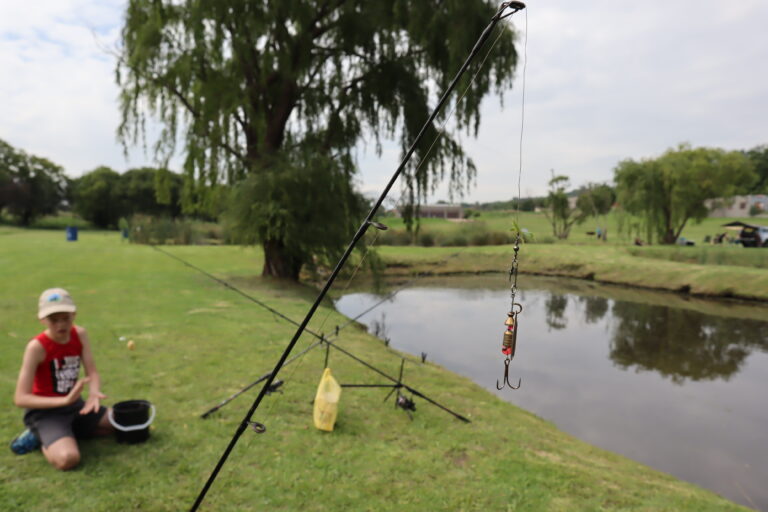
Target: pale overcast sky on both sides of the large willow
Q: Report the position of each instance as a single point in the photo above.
(605, 80)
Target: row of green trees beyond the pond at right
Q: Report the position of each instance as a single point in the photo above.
(656, 197)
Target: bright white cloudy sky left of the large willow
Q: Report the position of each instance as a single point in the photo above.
(59, 100)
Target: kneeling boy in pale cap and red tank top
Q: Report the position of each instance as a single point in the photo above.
(49, 389)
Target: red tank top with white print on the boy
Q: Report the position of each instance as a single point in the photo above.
(59, 371)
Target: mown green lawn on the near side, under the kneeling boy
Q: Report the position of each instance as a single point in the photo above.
(197, 342)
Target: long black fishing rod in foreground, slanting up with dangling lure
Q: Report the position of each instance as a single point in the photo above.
(501, 14)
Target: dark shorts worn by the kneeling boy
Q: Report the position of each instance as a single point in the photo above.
(52, 424)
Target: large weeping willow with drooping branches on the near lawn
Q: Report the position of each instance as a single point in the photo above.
(261, 91)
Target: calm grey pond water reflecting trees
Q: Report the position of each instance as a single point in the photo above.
(679, 385)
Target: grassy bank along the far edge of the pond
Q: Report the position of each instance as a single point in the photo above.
(604, 263)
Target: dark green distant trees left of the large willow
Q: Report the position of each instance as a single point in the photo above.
(32, 187)
